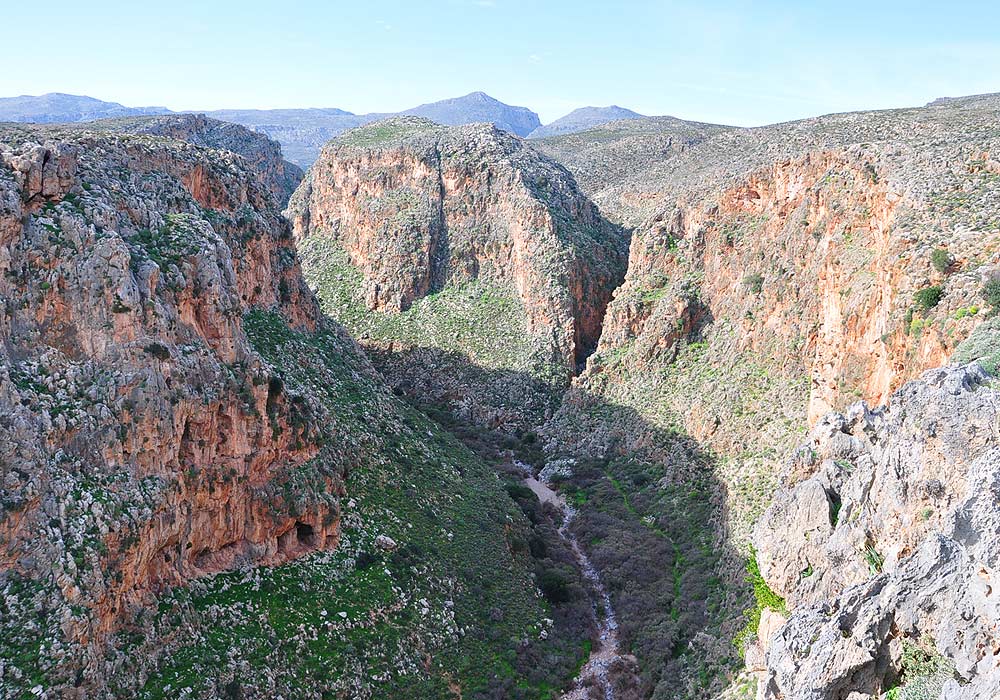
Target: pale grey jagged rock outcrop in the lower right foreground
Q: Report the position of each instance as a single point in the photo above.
(887, 532)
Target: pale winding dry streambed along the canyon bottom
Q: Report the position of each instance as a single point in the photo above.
(606, 651)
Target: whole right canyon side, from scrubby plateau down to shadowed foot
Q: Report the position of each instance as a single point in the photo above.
(785, 272)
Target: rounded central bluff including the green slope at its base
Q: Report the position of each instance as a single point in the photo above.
(448, 246)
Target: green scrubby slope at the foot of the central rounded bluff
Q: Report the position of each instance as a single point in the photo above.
(467, 340)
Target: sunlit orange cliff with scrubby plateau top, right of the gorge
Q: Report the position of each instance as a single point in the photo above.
(847, 251)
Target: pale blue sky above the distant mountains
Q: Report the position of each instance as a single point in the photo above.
(741, 63)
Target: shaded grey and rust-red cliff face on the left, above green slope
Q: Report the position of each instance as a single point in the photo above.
(142, 441)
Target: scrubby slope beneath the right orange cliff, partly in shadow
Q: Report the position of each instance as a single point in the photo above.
(666, 518)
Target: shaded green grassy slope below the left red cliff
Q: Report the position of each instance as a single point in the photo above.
(453, 609)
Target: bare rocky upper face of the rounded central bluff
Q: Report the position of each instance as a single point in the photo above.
(419, 208)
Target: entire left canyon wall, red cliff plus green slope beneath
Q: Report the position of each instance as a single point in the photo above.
(176, 416)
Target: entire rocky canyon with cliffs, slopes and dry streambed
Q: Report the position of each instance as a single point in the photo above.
(653, 409)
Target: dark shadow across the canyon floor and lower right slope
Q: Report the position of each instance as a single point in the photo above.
(653, 529)
